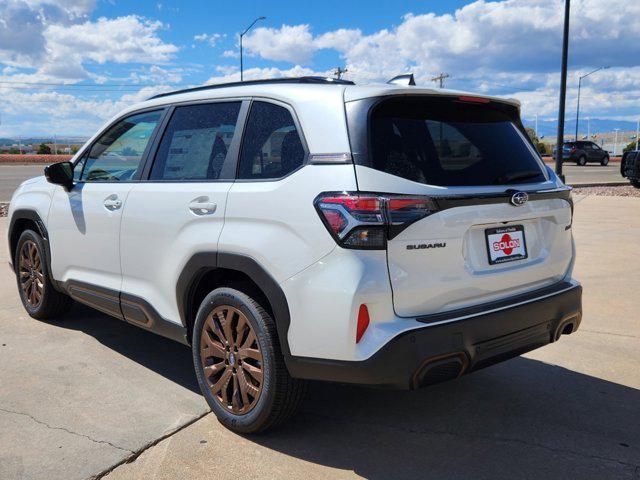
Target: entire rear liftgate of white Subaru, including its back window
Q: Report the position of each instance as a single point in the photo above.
(479, 243)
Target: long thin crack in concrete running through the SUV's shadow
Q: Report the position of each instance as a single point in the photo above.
(480, 437)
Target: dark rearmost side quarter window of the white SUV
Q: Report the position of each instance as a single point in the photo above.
(271, 147)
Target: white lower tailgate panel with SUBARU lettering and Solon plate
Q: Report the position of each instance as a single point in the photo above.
(443, 262)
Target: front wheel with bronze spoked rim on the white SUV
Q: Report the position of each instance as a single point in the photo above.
(39, 297)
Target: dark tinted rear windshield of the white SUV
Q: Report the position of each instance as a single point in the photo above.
(449, 142)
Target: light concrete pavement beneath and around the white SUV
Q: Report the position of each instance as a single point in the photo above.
(82, 395)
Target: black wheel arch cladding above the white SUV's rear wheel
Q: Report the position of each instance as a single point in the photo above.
(216, 269)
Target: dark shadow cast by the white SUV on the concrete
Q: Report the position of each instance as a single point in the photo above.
(519, 419)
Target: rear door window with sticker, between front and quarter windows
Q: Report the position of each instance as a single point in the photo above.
(196, 142)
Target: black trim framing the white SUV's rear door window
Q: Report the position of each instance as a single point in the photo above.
(233, 154)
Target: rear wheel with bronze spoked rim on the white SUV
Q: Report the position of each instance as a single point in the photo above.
(239, 365)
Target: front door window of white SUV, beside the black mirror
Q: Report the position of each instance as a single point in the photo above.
(116, 155)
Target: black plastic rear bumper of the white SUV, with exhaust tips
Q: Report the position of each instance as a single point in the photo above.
(447, 350)
